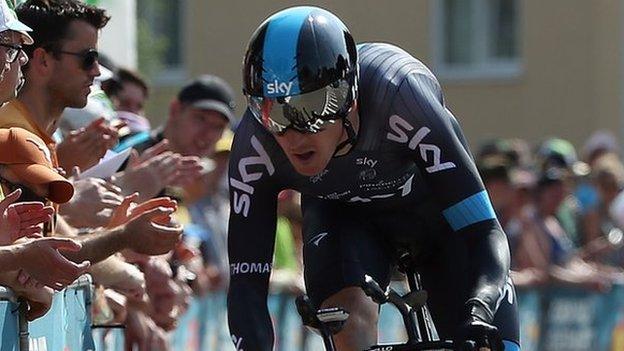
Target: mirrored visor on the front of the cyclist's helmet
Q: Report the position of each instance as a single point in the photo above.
(308, 113)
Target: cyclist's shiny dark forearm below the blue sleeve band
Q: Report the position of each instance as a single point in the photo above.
(488, 263)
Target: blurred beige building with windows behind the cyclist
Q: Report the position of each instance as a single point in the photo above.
(508, 67)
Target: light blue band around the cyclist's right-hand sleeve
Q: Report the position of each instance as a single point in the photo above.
(473, 209)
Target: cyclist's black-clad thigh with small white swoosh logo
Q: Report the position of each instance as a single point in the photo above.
(340, 246)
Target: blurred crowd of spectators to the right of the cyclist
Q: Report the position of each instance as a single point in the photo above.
(562, 215)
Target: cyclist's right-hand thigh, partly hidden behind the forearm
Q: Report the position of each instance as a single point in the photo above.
(446, 280)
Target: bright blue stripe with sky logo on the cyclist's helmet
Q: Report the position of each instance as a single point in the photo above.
(280, 51)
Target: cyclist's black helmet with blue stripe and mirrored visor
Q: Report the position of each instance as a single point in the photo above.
(300, 70)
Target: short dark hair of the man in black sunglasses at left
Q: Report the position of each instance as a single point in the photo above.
(50, 20)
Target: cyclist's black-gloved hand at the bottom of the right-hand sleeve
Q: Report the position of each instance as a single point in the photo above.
(475, 334)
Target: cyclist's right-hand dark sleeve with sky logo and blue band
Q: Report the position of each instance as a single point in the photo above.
(431, 135)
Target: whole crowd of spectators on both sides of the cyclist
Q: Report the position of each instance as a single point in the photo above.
(152, 232)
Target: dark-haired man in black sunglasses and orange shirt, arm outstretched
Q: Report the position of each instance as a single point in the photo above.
(60, 27)
